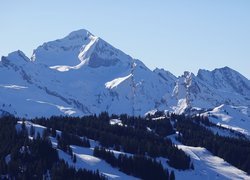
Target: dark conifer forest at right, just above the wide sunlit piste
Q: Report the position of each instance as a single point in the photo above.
(236, 151)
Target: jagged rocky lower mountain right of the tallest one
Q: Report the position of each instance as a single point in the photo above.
(221, 94)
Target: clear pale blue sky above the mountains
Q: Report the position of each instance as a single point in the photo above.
(176, 35)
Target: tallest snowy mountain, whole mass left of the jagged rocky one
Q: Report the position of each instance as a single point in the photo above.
(78, 75)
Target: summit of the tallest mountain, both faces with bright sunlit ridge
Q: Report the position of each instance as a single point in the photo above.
(80, 48)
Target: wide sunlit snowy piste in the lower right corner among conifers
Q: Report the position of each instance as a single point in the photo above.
(206, 165)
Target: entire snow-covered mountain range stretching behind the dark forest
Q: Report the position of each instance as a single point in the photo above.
(81, 74)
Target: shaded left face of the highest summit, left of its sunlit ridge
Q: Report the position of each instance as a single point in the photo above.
(63, 51)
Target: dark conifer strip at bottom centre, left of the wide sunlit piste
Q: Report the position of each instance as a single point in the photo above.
(138, 166)
